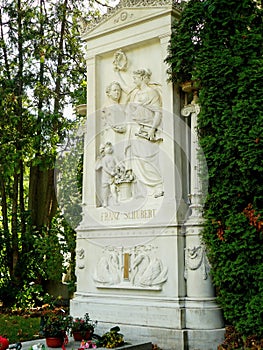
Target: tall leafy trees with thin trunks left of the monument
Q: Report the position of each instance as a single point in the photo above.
(41, 67)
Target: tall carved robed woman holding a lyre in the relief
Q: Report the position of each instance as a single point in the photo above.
(145, 116)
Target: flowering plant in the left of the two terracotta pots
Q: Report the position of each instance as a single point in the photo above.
(55, 323)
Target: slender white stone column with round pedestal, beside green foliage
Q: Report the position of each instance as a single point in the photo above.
(202, 311)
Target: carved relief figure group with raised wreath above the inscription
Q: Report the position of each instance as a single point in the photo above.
(130, 137)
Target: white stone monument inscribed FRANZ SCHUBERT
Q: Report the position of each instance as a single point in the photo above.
(140, 262)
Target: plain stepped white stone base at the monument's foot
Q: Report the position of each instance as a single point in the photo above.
(144, 320)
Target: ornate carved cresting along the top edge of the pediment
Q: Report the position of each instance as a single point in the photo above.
(174, 4)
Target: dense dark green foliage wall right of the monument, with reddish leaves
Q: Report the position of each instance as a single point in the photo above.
(228, 65)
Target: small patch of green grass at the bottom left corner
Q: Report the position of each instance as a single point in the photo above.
(19, 328)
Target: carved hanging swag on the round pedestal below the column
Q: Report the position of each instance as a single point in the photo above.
(195, 258)
